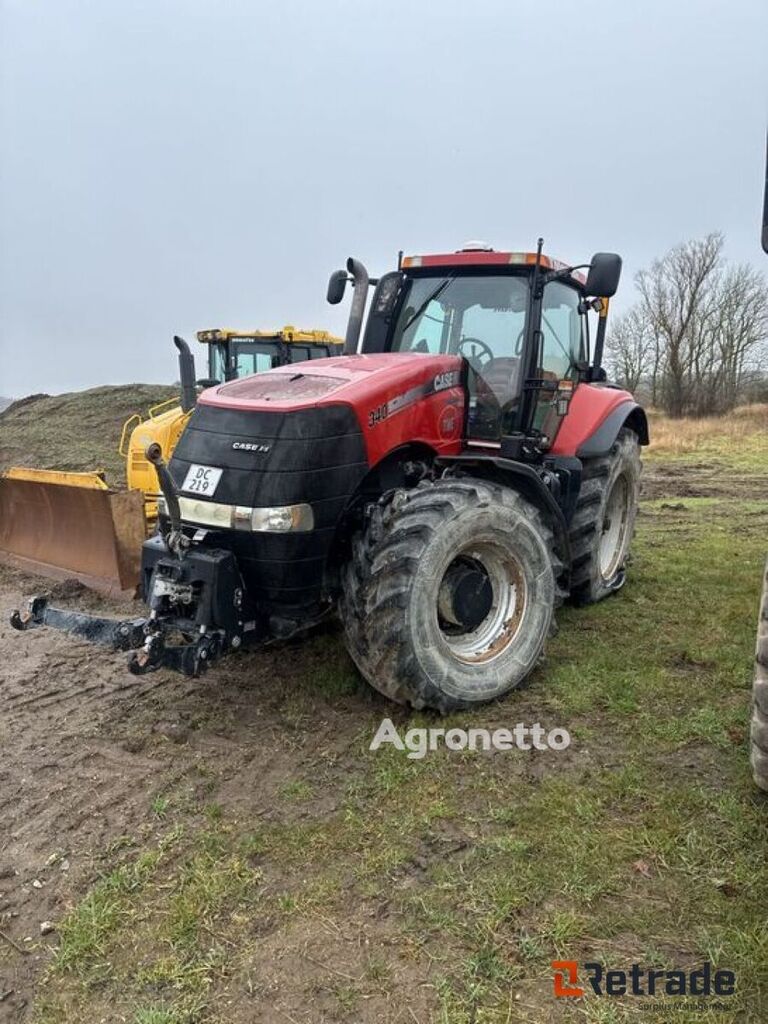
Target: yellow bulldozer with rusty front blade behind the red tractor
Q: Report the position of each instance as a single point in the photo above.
(68, 525)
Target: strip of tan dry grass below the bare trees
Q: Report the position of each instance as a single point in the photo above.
(691, 436)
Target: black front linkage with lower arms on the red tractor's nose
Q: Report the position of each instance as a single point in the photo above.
(195, 596)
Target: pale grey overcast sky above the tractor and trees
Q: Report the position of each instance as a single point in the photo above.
(169, 165)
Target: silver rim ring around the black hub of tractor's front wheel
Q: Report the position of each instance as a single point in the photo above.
(509, 600)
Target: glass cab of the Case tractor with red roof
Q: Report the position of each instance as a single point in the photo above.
(519, 322)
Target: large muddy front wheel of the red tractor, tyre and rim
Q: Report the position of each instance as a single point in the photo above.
(449, 596)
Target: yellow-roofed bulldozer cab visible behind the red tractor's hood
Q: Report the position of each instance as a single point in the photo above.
(236, 354)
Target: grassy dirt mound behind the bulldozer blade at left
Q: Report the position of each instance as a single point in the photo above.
(79, 432)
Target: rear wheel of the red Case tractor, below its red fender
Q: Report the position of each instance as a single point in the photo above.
(604, 525)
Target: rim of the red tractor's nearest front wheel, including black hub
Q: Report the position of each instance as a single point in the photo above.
(482, 603)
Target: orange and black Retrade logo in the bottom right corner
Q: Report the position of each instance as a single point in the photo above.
(642, 982)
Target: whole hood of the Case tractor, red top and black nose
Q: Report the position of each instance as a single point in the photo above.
(310, 435)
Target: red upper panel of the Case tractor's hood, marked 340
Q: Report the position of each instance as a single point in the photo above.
(399, 398)
